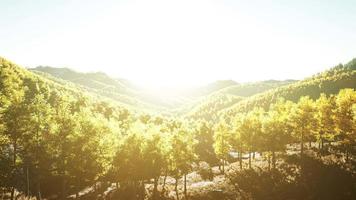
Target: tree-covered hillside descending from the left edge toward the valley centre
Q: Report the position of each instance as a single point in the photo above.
(13, 75)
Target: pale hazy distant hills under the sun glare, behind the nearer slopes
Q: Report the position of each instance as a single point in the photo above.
(126, 92)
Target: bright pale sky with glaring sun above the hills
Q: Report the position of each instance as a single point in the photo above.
(164, 43)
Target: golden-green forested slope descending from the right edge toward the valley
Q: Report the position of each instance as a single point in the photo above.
(328, 82)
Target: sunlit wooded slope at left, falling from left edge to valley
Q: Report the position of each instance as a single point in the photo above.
(16, 80)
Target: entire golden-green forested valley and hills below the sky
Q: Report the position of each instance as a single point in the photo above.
(60, 138)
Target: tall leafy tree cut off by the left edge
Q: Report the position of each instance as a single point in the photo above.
(12, 116)
